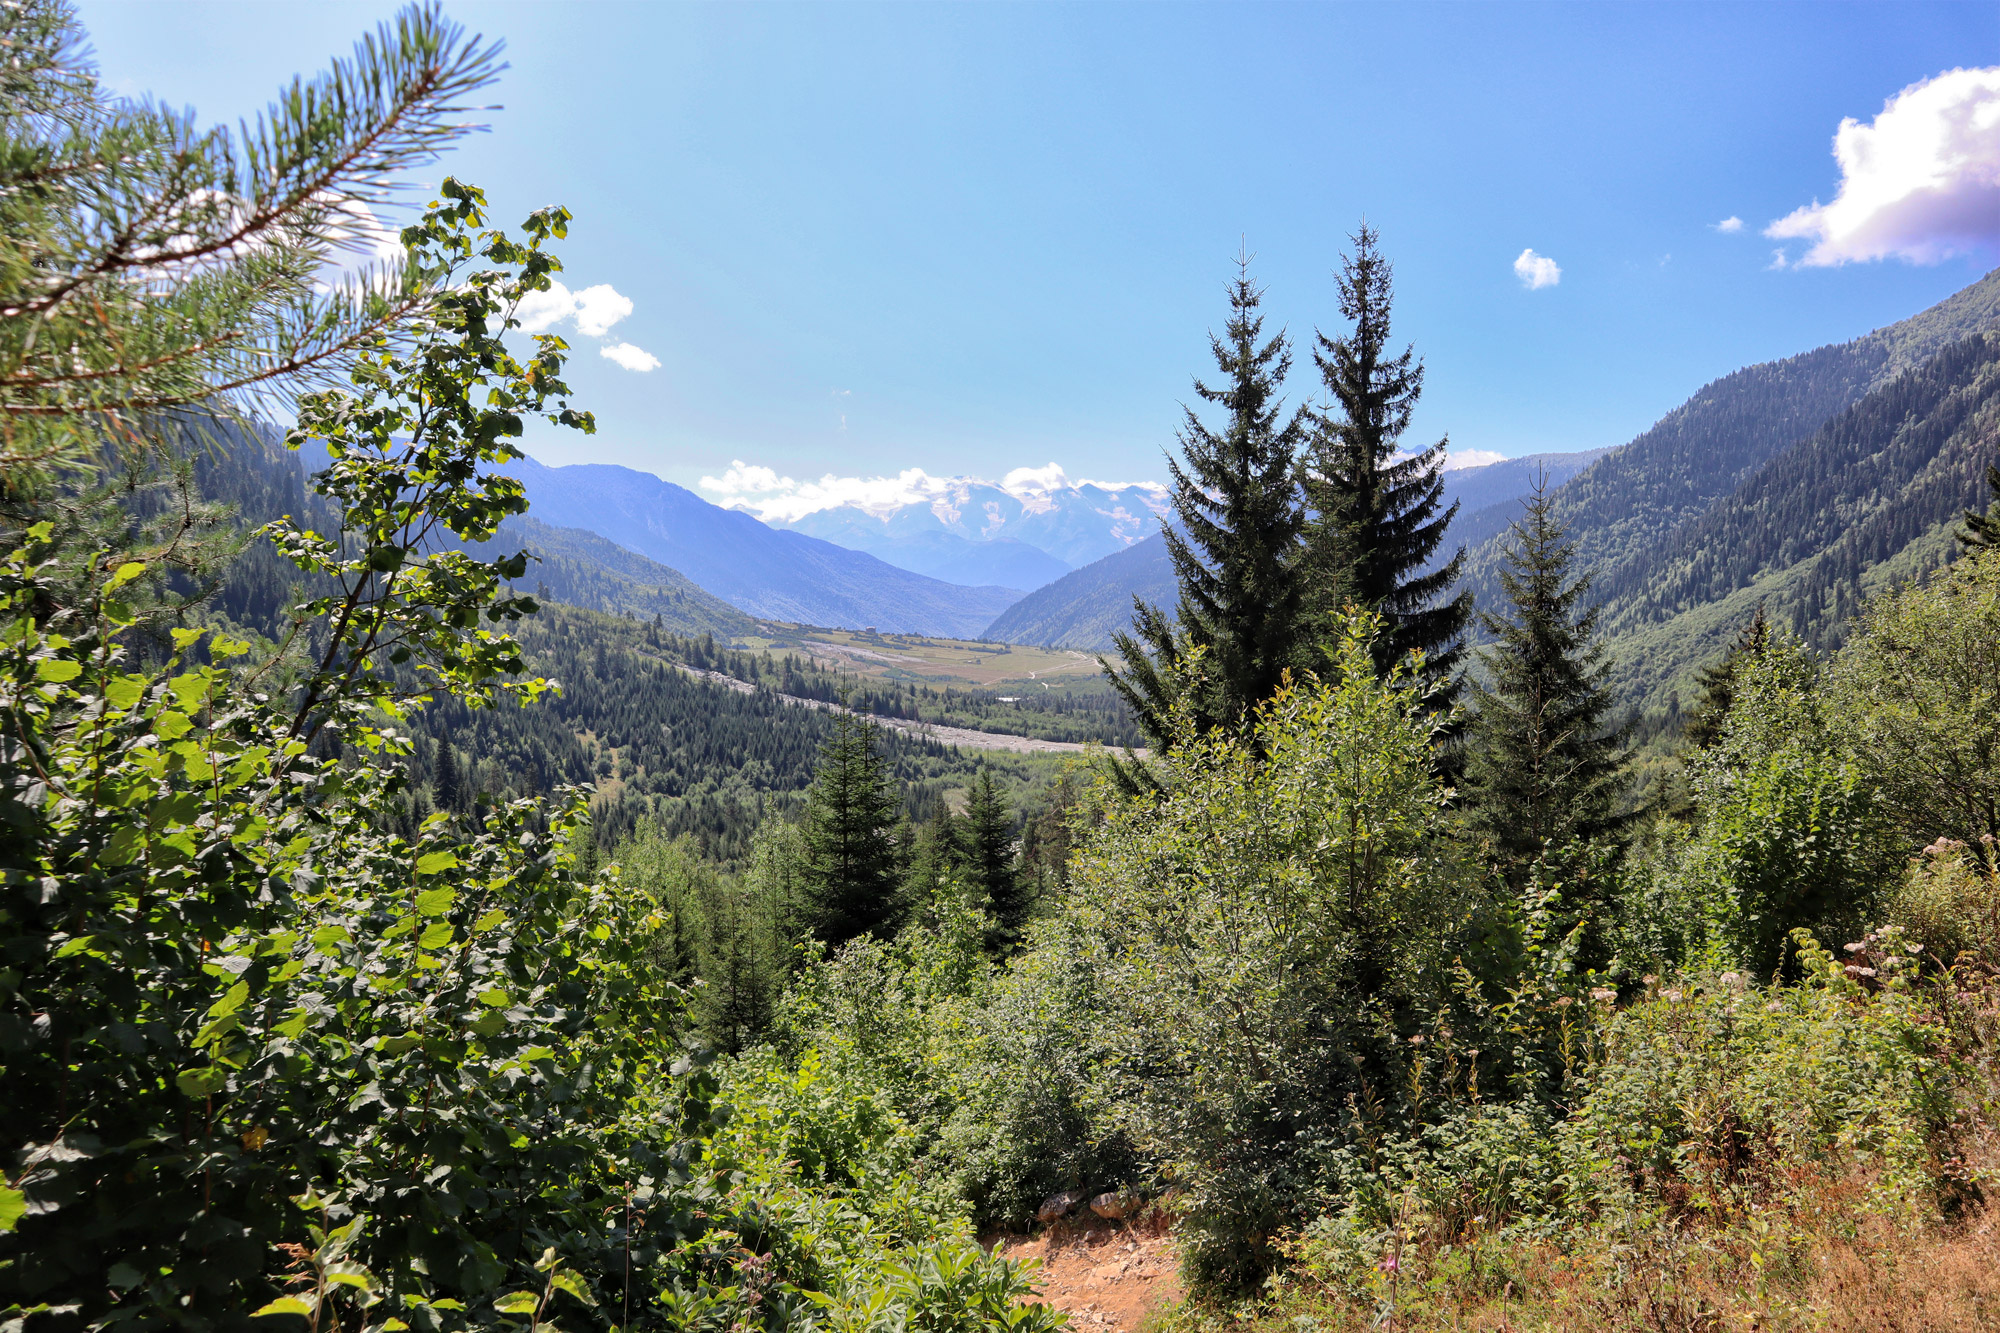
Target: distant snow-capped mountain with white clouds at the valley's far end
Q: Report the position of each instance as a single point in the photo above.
(1019, 533)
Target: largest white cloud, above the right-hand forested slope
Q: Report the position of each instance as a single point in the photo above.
(1919, 183)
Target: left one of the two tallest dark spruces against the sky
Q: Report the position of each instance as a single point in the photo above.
(1235, 541)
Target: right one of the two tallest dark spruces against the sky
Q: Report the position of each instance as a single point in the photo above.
(1377, 519)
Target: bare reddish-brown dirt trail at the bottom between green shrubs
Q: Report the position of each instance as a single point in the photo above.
(1105, 1276)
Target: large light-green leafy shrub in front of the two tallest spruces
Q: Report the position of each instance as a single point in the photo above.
(1265, 940)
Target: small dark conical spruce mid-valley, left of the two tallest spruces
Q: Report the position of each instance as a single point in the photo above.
(851, 876)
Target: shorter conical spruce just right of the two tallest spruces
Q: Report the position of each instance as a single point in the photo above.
(1545, 766)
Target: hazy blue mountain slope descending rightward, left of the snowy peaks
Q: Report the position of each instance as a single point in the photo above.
(755, 567)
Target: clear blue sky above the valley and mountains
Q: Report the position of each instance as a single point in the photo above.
(967, 239)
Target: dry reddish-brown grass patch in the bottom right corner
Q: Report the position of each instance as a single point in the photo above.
(1783, 1250)
